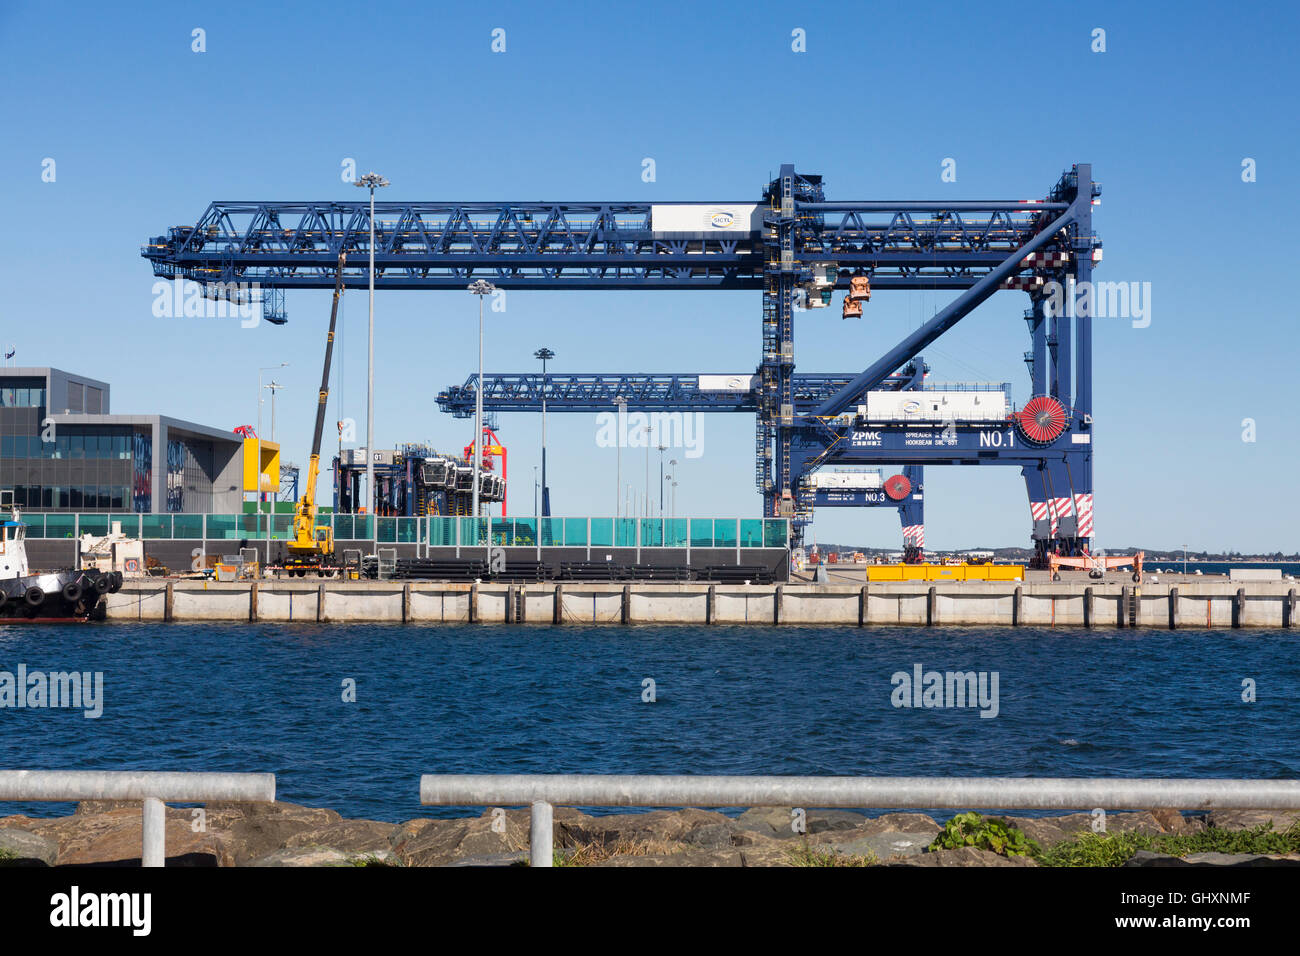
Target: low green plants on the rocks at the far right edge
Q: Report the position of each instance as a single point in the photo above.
(1116, 850)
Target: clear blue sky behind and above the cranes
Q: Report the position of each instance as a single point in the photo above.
(145, 133)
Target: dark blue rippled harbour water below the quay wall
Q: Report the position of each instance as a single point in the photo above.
(727, 700)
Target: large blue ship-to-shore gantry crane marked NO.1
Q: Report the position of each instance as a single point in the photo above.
(798, 249)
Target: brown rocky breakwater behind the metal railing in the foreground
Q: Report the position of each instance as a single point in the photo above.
(106, 834)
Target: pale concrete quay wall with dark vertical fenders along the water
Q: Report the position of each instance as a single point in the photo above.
(1048, 604)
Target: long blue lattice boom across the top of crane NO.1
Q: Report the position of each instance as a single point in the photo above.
(567, 246)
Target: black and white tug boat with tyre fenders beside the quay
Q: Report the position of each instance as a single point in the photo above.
(54, 596)
